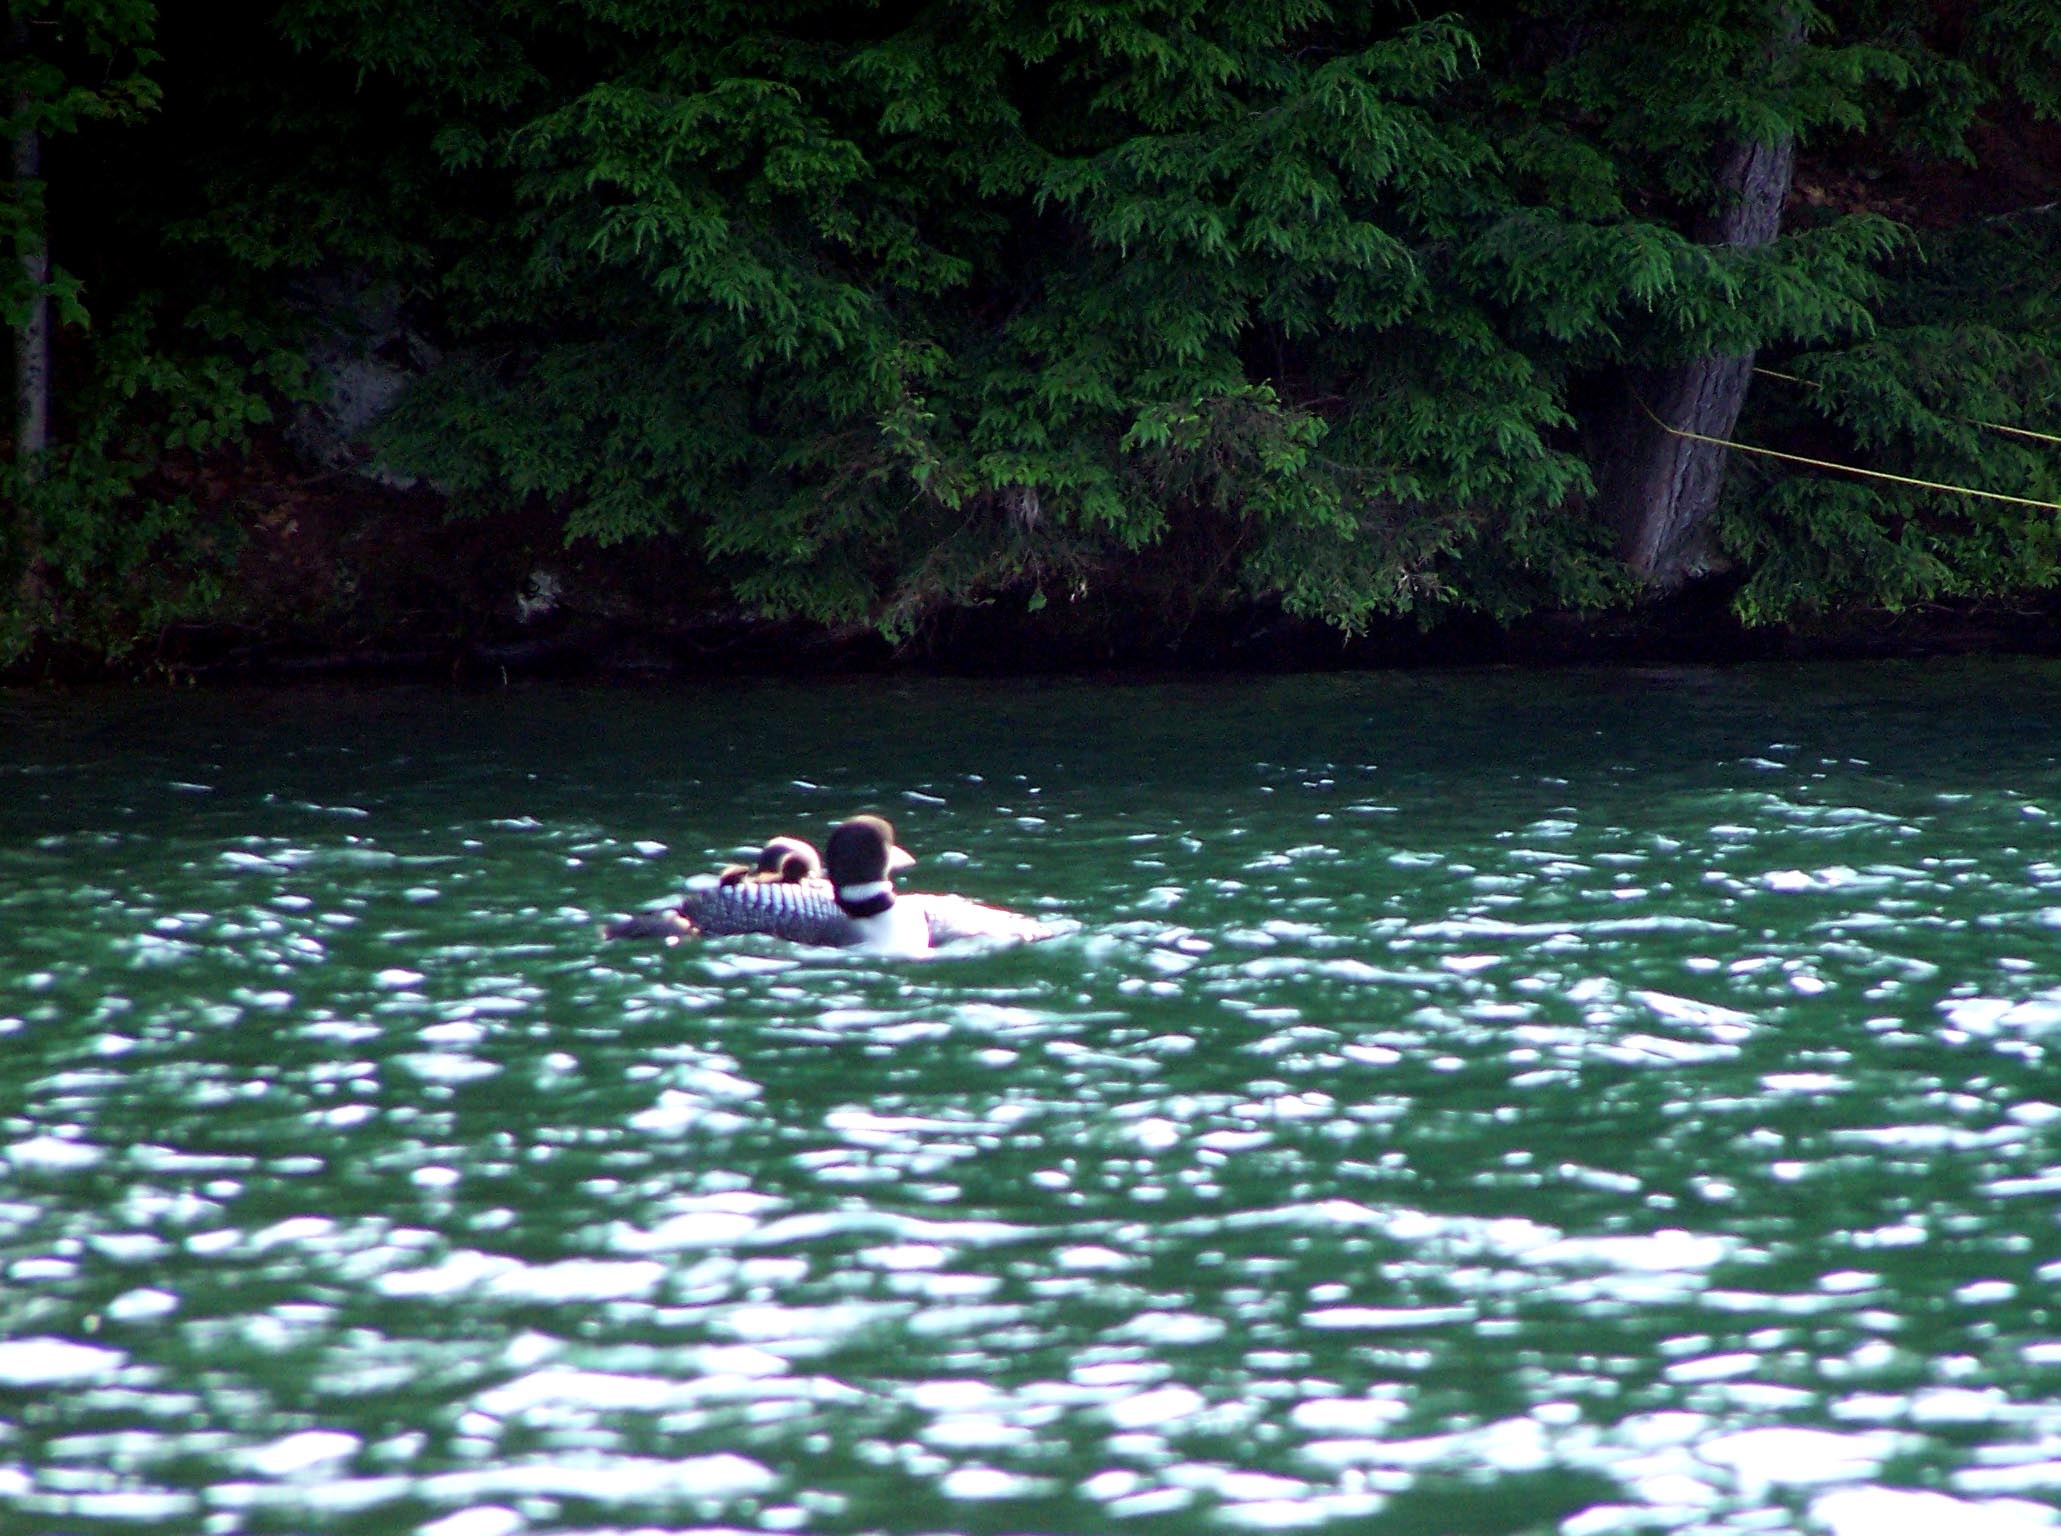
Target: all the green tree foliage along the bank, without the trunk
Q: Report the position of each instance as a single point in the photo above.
(889, 308)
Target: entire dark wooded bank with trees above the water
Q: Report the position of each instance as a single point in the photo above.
(395, 327)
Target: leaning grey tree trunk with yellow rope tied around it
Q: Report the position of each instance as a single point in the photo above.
(1660, 490)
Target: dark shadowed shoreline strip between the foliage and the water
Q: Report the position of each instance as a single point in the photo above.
(1693, 628)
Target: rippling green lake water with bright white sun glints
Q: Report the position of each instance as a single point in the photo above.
(1468, 1104)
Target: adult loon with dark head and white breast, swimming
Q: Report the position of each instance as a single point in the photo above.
(854, 908)
